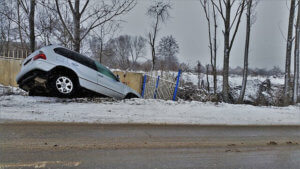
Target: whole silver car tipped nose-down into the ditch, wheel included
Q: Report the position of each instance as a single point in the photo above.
(57, 71)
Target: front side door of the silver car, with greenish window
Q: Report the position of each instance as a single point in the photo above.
(107, 79)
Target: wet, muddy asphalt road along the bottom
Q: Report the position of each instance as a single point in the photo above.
(60, 145)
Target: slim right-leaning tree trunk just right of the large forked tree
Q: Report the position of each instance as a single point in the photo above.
(246, 54)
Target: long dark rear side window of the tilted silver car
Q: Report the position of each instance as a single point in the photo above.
(76, 57)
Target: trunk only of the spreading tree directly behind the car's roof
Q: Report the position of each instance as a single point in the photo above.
(76, 28)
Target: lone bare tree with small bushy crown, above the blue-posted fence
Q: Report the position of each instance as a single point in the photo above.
(160, 13)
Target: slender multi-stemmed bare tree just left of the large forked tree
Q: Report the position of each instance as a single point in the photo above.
(206, 5)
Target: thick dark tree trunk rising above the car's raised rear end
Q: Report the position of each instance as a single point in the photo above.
(31, 25)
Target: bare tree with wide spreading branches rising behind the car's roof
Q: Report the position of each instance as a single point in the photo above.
(90, 15)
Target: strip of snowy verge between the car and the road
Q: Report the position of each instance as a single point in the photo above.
(27, 108)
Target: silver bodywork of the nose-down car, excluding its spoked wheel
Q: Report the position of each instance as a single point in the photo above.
(89, 77)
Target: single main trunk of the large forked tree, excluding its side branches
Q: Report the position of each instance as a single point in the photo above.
(226, 88)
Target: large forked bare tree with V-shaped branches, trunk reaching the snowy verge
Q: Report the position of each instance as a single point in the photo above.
(224, 8)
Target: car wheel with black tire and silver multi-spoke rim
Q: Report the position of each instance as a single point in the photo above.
(63, 85)
